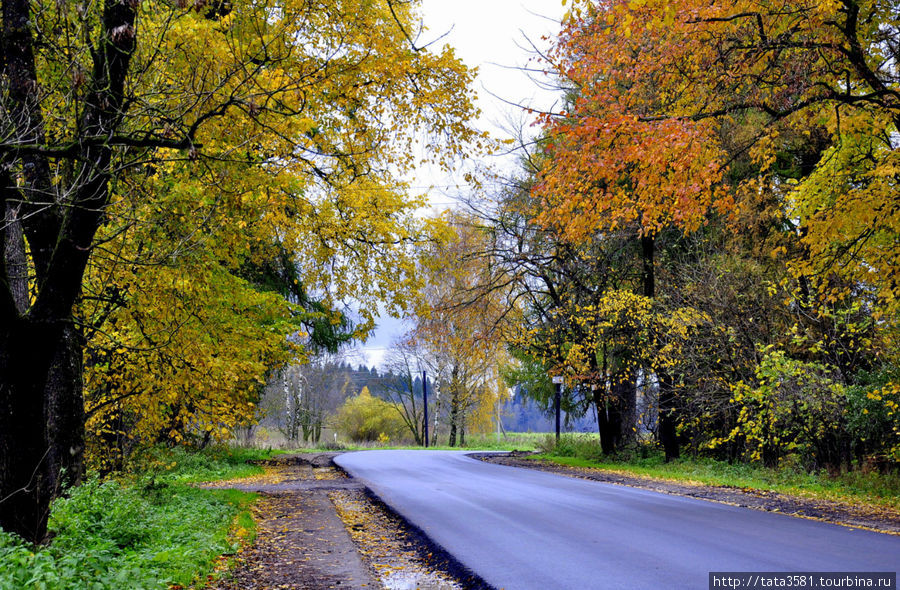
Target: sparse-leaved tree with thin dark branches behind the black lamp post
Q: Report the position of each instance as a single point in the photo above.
(552, 284)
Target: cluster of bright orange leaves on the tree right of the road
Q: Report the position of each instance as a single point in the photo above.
(613, 160)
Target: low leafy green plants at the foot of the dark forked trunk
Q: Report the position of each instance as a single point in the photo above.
(111, 535)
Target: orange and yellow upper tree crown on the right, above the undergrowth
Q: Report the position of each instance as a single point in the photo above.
(659, 85)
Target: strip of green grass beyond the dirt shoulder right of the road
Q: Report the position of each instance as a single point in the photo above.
(855, 487)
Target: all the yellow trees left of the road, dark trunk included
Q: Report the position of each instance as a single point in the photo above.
(152, 155)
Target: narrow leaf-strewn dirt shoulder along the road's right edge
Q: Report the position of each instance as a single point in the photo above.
(866, 517)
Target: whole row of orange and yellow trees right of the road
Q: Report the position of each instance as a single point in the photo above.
(703, 239)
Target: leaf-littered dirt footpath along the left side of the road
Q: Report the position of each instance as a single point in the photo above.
(318, 529)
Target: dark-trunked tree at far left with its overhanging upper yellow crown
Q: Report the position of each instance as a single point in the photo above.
(305, 111)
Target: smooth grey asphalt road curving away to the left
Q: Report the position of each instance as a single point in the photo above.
(521, 529)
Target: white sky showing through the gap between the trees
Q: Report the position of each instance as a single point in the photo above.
(495, 36)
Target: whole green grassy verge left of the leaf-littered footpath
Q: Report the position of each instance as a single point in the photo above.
(149, 529)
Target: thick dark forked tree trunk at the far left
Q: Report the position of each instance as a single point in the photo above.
(41, 408)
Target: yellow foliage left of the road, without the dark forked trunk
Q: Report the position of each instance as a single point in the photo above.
(270, 128)
